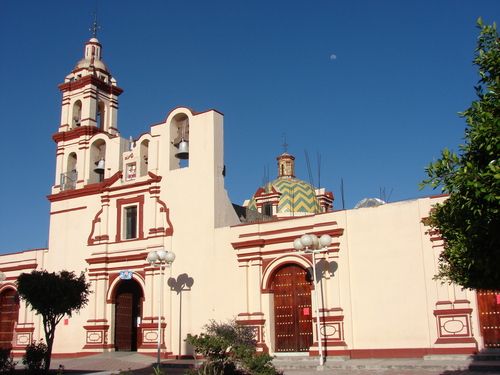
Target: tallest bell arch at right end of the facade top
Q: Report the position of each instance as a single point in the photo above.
(179, 140)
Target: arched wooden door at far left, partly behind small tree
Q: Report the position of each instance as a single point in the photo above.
(9, 313)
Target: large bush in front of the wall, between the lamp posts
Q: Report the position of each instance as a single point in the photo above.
(230, 349)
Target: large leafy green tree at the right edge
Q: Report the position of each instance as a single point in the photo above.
(469, 220)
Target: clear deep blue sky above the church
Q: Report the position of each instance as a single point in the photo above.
(373, 87)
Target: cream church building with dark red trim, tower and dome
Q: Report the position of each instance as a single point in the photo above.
(114, 200)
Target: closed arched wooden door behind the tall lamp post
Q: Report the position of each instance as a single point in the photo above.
(292, 309)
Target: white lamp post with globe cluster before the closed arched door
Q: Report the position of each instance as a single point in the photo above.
(310, 244)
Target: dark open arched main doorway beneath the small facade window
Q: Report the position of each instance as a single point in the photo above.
(128, 303)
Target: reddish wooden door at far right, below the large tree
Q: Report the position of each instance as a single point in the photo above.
(489, 317)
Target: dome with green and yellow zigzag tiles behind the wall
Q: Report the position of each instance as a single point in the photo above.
(287, 193)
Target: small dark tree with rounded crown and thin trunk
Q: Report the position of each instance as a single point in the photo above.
(53, 295)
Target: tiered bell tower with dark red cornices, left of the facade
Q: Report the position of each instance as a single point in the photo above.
(89, 107)
